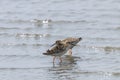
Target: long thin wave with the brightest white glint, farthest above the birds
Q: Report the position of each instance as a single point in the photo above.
(43, 21)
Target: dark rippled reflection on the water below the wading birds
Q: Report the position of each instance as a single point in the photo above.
(63, 71)
